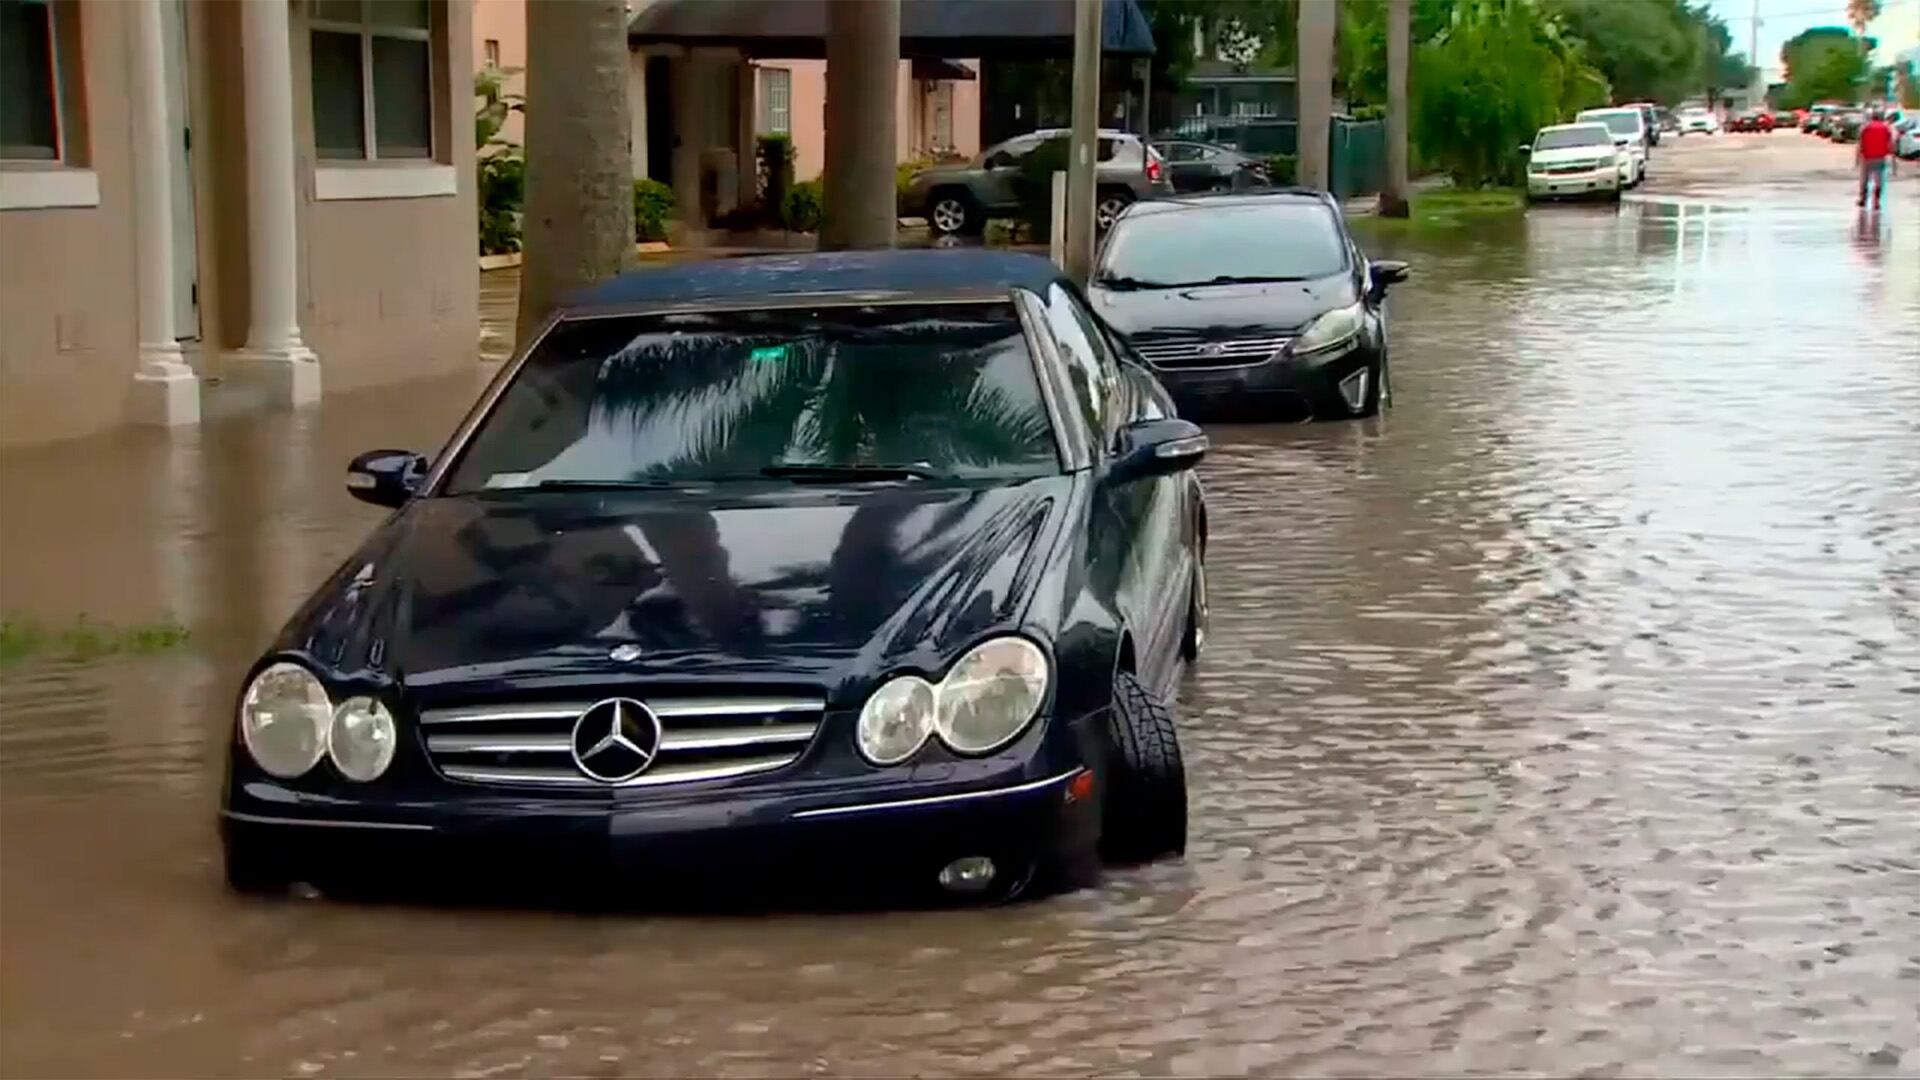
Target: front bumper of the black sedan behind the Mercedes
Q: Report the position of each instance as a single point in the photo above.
(1274, 389)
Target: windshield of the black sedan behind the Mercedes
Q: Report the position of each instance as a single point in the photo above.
(1262, 241)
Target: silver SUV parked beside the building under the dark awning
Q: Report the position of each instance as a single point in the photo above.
(961, 199)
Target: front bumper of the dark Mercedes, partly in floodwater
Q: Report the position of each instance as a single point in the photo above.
(811, 835)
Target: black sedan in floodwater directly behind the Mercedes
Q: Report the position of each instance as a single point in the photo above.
(1253, 303)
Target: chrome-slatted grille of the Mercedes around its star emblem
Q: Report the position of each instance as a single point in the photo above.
(702, 739)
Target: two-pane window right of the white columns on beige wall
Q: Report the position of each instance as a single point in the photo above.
(373, 80)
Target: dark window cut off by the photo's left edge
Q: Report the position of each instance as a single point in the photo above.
(39, 120)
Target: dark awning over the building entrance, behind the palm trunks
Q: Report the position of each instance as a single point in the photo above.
(934, 30)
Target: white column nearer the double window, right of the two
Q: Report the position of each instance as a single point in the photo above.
(274, 355)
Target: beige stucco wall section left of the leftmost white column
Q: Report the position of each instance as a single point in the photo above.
(66, 276)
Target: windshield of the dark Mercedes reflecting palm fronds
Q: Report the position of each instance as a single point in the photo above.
(934, 389)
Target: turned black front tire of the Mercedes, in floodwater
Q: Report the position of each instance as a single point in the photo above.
(1145, 806)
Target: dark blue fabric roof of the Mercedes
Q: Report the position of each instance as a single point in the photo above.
(830, 278)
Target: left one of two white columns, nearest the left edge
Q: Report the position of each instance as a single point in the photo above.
(164, 387)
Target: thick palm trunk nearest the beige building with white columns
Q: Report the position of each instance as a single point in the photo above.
(579, 224)
